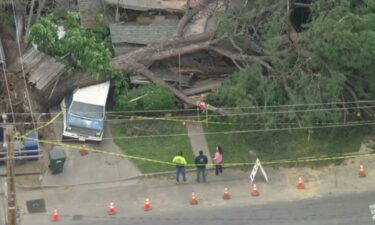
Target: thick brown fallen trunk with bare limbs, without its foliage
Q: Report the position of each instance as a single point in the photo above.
(138, 62)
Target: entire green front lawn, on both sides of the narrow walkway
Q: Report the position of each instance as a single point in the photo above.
(162, 140)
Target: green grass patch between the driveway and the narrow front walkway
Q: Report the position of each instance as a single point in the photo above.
(140, 142)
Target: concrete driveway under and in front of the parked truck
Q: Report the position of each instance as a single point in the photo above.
(92, 168)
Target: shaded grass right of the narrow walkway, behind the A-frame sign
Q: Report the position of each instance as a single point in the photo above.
(278, 145)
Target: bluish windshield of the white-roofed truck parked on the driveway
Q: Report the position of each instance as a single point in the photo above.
(87, 110)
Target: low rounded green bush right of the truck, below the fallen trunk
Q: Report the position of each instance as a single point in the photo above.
(147, 97)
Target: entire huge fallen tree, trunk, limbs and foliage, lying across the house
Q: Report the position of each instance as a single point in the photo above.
(261, 35)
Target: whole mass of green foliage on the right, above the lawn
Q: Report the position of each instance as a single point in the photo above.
(335, 62)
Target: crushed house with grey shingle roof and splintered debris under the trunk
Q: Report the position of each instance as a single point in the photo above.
(135, 24)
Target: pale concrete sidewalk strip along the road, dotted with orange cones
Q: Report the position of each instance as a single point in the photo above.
(166, 196)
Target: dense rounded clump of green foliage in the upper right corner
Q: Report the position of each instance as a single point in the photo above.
(342, 39)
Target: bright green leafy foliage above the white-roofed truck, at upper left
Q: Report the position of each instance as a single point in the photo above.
(86, 48)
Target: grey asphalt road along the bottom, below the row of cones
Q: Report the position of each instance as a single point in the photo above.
(344, 210)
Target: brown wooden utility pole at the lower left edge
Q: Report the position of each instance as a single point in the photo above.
(10, 174)
